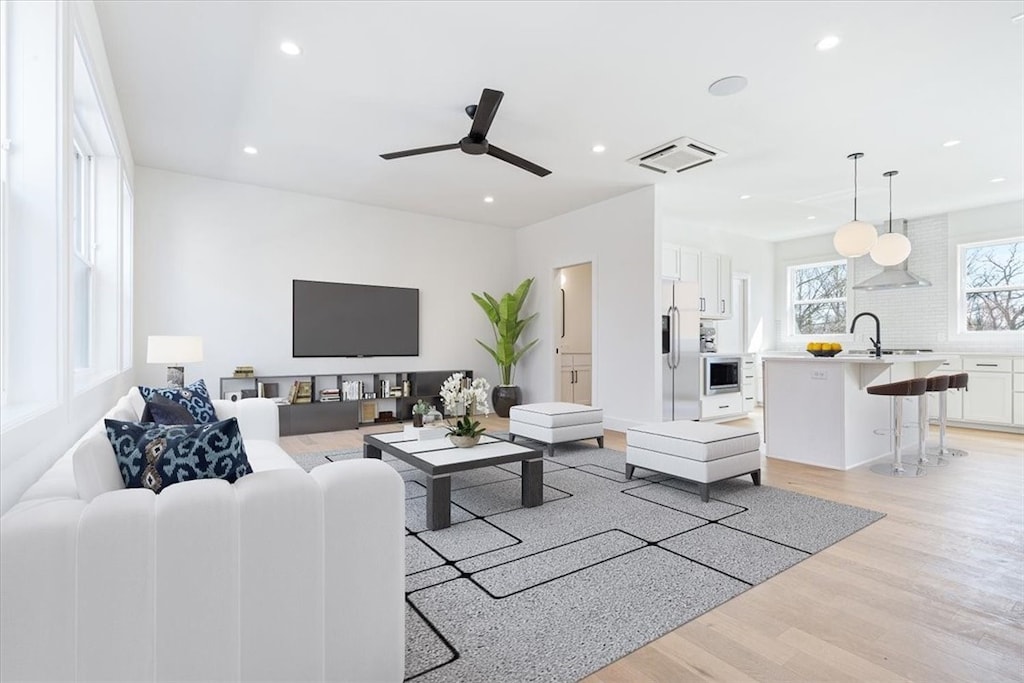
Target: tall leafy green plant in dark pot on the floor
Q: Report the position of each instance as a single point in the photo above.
(507, 326)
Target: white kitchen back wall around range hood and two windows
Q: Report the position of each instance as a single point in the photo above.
(922, 318)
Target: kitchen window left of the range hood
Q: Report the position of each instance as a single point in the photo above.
(818, 298)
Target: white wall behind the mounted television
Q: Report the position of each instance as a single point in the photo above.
(218, 260)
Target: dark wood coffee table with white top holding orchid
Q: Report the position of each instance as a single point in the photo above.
(438, 458)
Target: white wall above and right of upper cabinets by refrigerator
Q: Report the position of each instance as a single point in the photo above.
(750, 257)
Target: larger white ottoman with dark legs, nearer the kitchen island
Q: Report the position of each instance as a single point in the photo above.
(699, 452)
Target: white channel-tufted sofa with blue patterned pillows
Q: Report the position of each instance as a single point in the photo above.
(282, 576)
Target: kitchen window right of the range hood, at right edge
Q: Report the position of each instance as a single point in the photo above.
(993, 286)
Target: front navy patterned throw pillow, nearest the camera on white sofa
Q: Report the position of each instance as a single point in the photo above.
(154, 457)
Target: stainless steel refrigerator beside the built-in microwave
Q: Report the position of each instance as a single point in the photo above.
(680, 351)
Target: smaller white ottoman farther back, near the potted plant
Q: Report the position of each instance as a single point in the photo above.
(557, 423)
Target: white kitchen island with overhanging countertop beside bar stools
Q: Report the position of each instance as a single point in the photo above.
(817, 411)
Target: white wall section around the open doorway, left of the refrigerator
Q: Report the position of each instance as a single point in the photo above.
(618, 238)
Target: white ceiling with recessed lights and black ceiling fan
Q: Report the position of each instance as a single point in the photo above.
(198, 81)
